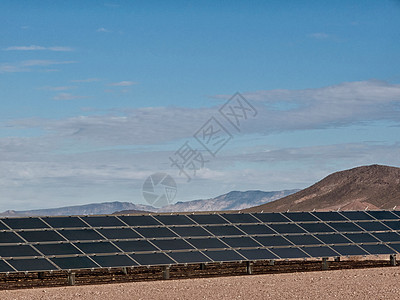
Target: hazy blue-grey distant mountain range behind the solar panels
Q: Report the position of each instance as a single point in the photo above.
(231, 201)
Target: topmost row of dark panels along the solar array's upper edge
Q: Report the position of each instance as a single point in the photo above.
(193, 219)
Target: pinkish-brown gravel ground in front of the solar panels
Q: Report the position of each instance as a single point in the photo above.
(376, 283)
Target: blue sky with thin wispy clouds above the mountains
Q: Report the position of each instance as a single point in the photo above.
(97, 95)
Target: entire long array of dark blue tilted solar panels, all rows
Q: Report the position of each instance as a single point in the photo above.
(87, 242)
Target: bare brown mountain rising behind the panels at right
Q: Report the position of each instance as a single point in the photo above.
(375, 187)
